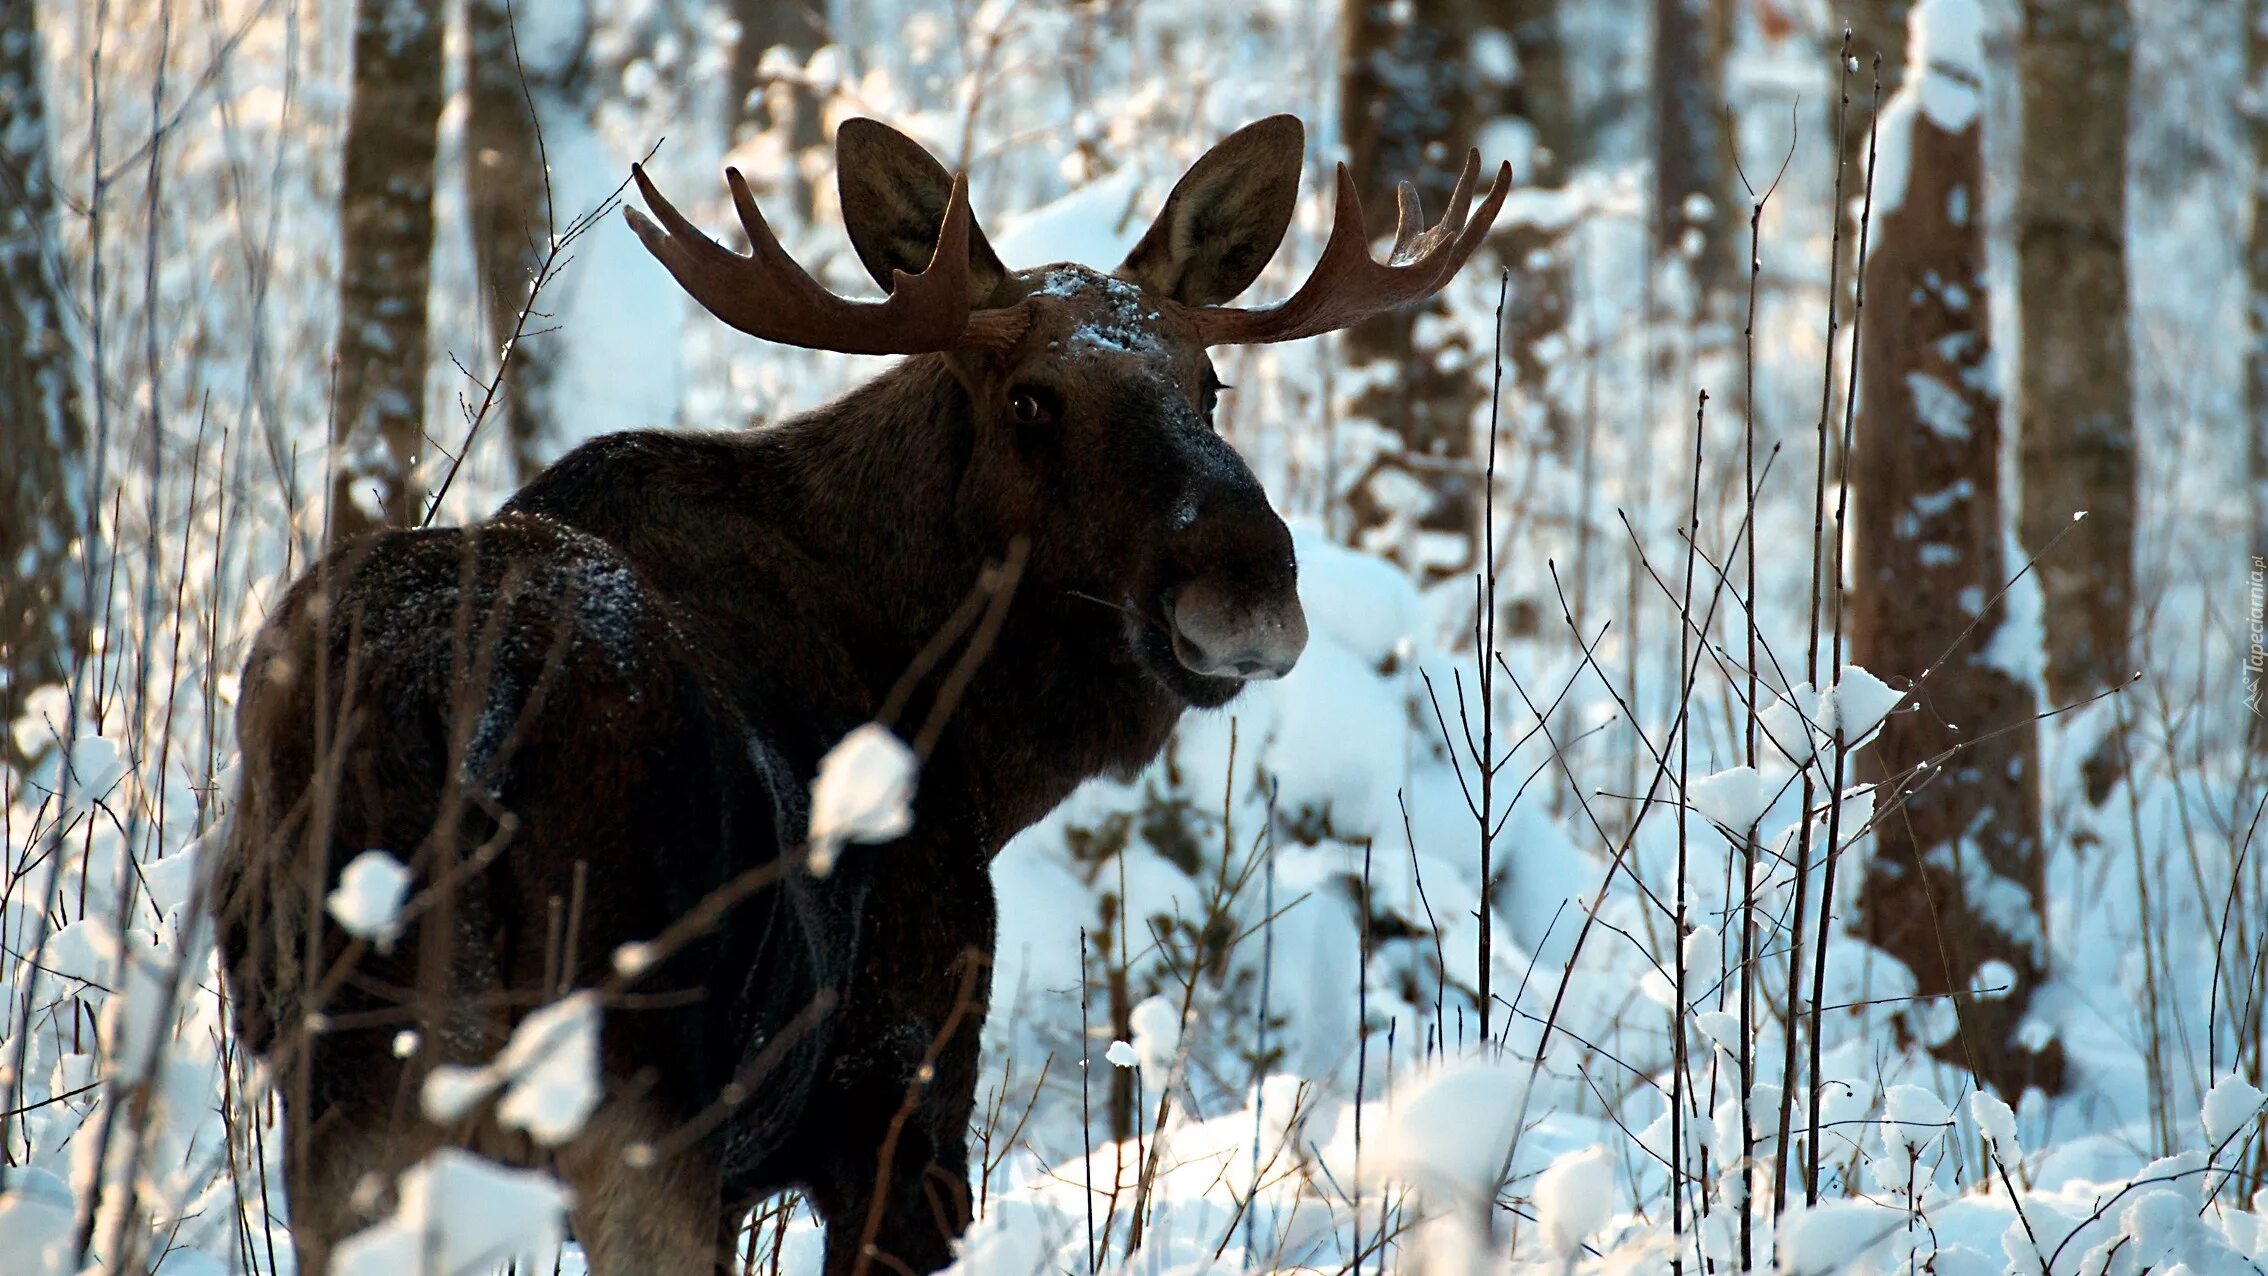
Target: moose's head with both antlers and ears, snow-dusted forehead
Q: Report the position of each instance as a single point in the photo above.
(1092, 393)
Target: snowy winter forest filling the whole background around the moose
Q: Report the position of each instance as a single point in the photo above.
(1779, 765)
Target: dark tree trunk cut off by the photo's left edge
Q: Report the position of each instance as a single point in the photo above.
(42, 613)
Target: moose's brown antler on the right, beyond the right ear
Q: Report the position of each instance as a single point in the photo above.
(1348, 284)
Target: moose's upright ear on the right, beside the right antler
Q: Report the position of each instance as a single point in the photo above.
(1224, 219)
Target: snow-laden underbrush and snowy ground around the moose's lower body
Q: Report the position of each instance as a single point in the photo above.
(1237, 1021)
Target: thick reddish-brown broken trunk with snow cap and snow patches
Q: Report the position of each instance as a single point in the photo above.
(1956, 878)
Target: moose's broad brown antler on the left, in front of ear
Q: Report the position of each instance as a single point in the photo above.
(772, 298)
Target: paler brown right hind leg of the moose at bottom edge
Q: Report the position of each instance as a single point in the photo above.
(641, 1205)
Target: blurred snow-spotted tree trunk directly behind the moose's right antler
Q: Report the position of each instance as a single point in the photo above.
(1421, 80)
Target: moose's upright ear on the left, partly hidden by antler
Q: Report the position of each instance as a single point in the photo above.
(895, 203)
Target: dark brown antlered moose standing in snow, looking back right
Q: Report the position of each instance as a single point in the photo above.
(591, 724)
